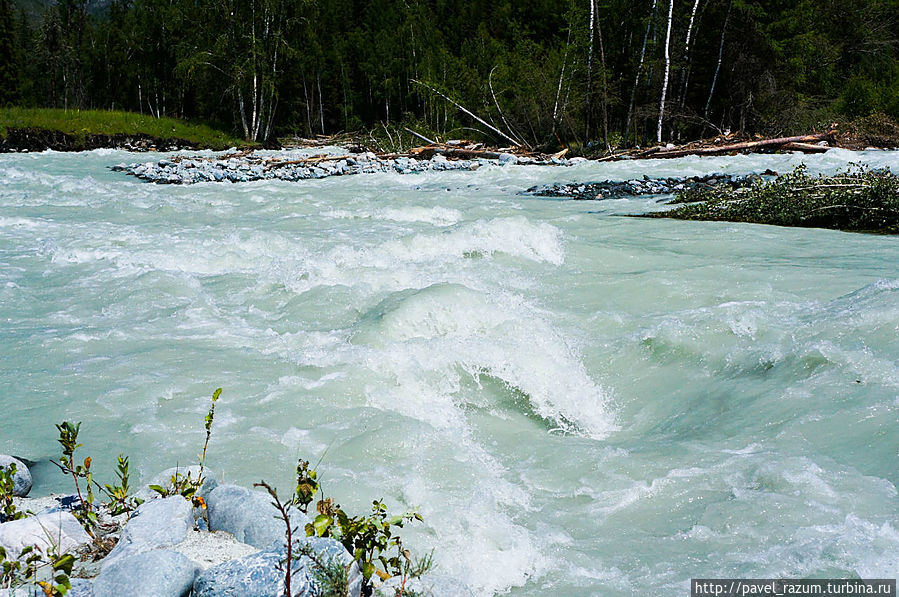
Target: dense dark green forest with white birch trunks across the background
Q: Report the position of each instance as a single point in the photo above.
(540, 73)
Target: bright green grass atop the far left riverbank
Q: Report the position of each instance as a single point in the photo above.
(80, 123)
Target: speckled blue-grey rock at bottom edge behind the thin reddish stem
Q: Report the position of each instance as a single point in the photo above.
(256, 575)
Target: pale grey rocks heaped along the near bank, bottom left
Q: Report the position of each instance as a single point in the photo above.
(165, 548)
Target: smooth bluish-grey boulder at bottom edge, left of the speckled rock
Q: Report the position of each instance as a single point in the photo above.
(158, 573)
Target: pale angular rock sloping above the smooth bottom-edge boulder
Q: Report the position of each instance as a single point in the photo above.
(155, 524)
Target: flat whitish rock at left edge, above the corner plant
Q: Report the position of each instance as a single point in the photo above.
(59, 530)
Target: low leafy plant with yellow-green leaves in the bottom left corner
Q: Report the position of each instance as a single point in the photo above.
(29, 565)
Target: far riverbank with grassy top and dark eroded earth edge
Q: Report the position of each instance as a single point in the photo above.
(39, 129)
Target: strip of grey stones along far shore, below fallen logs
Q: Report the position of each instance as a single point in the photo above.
(246, 168)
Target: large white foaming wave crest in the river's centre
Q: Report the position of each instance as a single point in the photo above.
(423, 338)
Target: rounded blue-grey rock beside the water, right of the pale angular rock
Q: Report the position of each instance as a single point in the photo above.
(249, 516)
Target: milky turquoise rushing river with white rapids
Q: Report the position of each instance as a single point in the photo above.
(577, 402)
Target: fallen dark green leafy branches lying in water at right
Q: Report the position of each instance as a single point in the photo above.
(858, 200)
